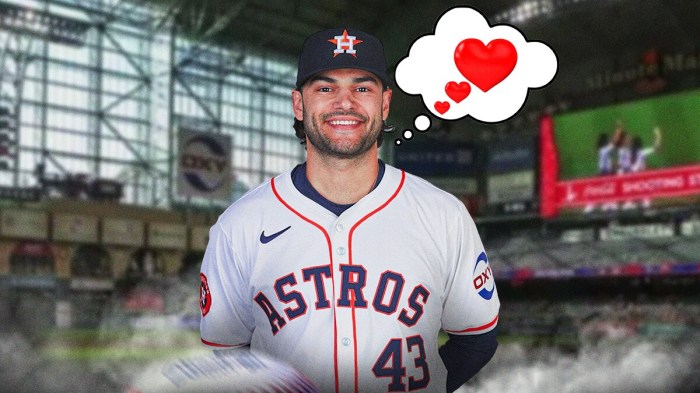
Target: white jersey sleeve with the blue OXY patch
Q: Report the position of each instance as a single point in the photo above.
(471, 301)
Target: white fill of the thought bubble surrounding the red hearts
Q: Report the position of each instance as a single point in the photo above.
(498, 104)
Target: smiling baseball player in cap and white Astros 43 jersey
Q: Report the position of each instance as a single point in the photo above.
(346, 267)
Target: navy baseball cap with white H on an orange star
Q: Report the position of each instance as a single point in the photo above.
(341, 48)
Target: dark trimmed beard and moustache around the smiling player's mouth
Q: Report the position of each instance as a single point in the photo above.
(341, 149)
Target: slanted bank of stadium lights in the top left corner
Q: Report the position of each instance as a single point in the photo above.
(55, 28)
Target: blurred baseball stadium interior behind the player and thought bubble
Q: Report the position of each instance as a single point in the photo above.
(127, 127)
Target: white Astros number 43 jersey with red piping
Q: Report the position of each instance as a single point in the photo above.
(355, 301)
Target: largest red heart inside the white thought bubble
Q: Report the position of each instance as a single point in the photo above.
(485, 65)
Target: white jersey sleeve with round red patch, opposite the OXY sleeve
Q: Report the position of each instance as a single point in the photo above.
(227, 319)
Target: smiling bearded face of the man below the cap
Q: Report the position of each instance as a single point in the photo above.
(342, 111)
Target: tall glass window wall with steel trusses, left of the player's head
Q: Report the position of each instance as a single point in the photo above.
(107, 96)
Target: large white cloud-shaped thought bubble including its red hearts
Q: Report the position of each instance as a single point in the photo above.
(468, 68)
